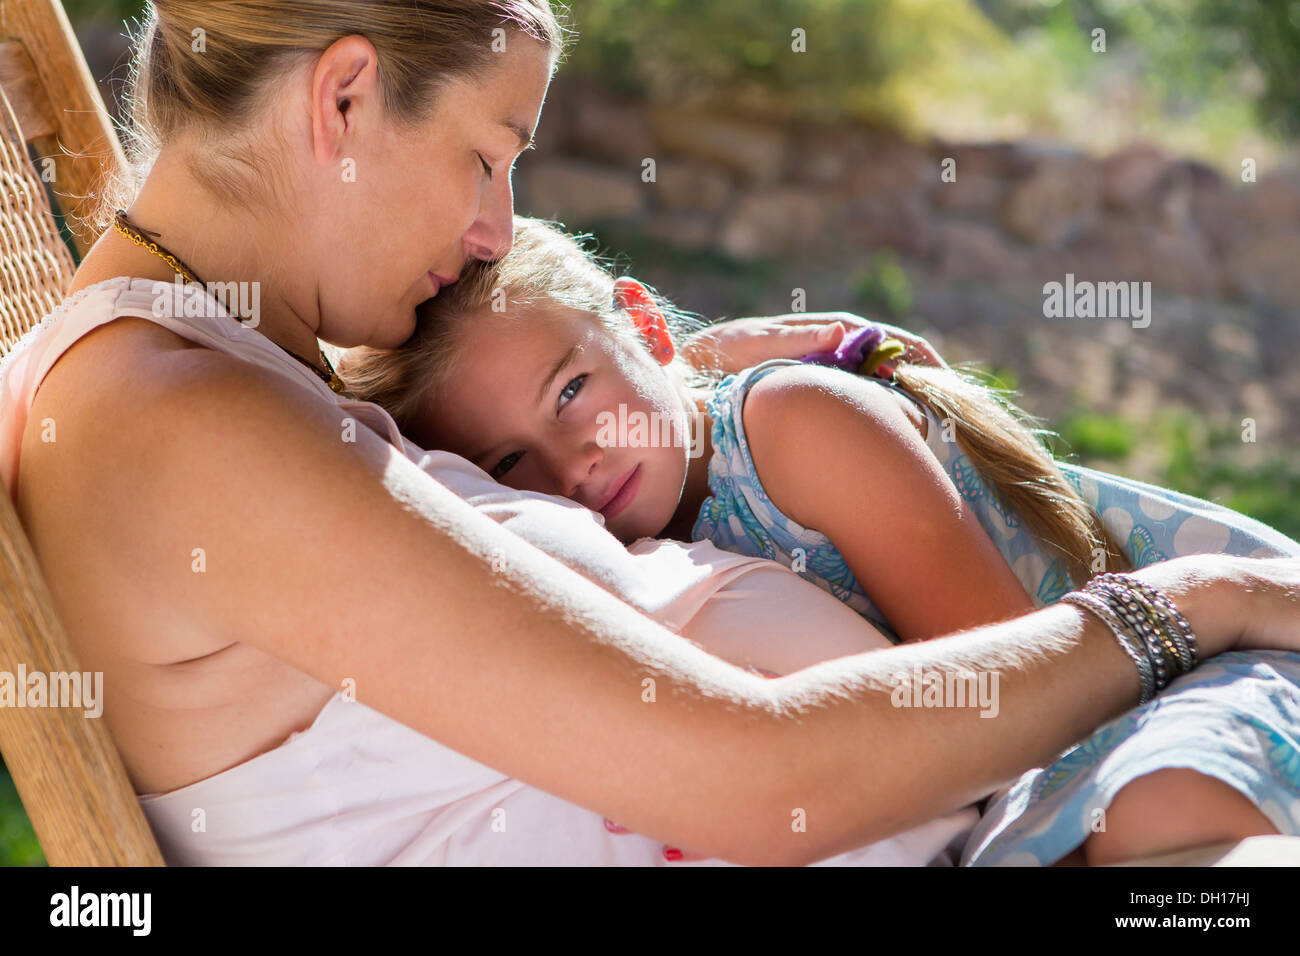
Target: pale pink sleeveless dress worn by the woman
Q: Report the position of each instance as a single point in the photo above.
(361, 789)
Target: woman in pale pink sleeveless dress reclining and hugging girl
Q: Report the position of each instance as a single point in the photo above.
(249, 551)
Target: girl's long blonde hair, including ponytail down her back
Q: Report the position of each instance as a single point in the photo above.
(545, 266)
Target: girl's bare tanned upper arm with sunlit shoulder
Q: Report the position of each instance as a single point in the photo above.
(843, 456)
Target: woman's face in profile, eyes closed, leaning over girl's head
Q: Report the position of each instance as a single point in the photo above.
(408, 207)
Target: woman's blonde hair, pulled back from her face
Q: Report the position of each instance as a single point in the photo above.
(203, 66)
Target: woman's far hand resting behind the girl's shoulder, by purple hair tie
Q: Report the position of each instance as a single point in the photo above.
(744, 343)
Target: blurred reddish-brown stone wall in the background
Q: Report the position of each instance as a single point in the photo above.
(811, 205)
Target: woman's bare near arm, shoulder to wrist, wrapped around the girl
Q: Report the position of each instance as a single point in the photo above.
(346, 561)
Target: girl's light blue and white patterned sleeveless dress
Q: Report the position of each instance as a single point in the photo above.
(1237, 717)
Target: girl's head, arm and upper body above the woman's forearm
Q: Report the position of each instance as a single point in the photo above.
(924, 503)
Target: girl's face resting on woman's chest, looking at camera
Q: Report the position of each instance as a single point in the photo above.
(547, 400)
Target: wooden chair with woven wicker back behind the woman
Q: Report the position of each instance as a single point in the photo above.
(66, 767)
